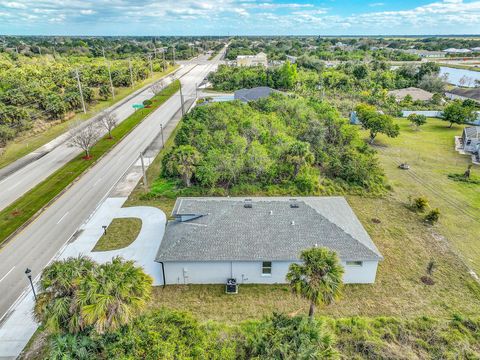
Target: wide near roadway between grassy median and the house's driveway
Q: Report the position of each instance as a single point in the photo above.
(38, 243)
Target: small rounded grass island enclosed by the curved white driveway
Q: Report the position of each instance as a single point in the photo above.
(120, 233)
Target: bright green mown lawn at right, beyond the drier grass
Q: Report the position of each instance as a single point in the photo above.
(431, 155)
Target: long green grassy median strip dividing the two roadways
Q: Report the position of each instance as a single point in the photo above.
(24, 208)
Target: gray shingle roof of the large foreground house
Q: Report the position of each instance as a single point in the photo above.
(270, 230)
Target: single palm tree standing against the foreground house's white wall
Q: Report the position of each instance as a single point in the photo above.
(318, 279)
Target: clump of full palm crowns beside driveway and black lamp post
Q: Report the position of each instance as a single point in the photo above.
(78, 294)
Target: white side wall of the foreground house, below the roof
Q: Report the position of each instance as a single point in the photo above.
(250, 272)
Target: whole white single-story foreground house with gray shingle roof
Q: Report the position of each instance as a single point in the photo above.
(255, 240)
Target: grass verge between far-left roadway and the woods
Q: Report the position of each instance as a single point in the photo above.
(28, 142)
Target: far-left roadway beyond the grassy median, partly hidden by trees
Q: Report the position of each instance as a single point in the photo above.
(19, 177)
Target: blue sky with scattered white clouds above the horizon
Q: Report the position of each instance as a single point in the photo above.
(238, 17)
